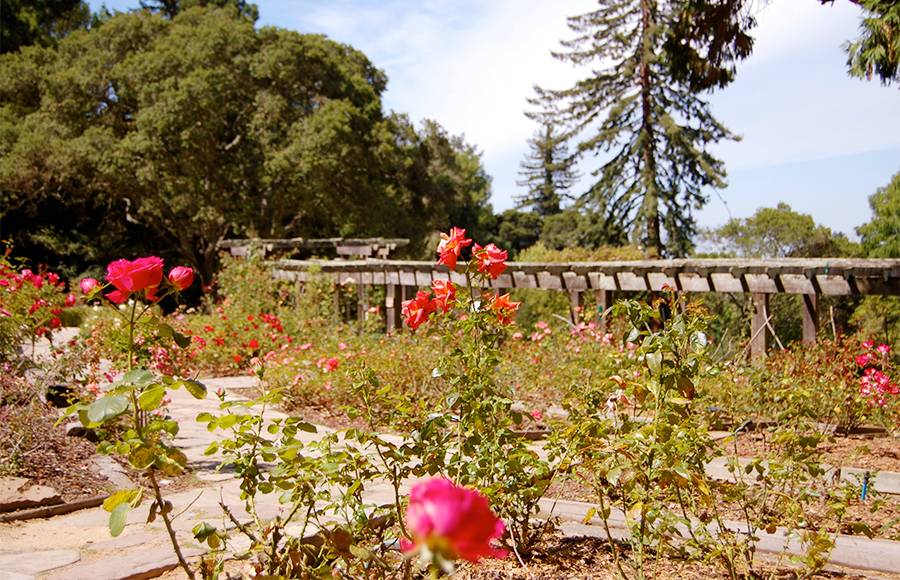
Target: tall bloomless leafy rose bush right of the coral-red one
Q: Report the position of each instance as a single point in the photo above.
(640, 441)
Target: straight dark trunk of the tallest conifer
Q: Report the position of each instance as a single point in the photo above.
(650, 206)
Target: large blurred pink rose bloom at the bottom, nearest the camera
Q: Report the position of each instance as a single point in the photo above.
(452, 520)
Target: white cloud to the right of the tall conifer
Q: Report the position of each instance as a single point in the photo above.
(793, 100)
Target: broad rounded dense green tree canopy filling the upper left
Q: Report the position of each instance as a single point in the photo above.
(197, 127)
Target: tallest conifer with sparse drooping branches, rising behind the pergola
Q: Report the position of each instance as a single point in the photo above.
(653, 130)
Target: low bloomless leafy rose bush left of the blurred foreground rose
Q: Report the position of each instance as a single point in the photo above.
(326, 526)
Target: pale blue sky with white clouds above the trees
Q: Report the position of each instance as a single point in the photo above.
(812, 136)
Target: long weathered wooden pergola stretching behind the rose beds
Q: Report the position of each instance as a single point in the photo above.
(808, 278)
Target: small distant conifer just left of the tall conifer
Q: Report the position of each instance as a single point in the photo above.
(547, 172)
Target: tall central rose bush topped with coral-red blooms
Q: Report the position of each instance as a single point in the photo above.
(472, 439)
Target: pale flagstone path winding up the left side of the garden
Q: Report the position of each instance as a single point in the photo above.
(80, 541)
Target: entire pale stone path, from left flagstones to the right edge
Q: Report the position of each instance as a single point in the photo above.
(78, 545)
